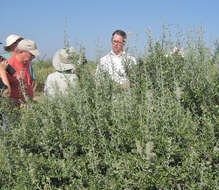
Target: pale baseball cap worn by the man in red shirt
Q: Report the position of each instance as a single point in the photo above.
(28, 45)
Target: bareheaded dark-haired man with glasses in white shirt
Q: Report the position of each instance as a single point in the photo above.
(117, 62)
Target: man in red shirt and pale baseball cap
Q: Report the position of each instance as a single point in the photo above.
(20, 81)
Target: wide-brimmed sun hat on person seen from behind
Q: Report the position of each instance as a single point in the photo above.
(61, 59)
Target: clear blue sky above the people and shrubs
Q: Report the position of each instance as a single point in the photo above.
(91, 22)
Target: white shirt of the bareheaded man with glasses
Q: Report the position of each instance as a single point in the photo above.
(115, 66)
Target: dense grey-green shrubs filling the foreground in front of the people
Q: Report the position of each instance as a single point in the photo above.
(161, 134)
